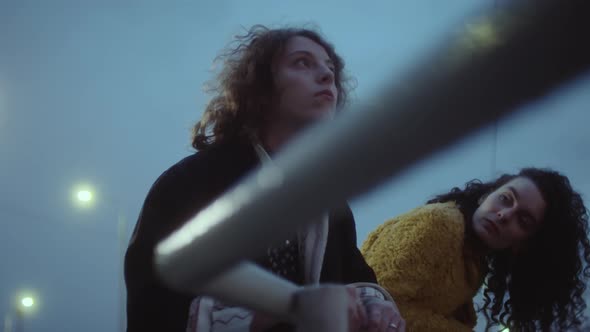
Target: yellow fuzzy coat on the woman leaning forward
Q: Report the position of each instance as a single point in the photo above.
(419, 258)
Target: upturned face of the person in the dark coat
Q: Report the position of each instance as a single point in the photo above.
(304, 81)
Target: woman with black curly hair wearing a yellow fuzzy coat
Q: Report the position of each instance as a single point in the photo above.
(523, 237)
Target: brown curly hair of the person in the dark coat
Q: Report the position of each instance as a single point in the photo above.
(245, 86)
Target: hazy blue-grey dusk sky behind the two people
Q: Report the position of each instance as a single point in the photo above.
(103, 94)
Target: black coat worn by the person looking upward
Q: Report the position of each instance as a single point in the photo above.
(177, 195)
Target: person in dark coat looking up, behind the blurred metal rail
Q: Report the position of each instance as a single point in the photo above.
(274, 84)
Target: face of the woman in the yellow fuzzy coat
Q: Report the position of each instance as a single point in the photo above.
(508, 216)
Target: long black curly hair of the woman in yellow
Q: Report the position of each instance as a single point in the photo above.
(545, 282)
